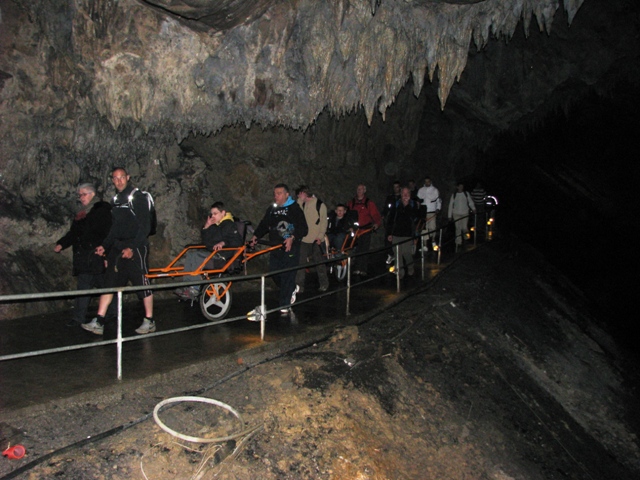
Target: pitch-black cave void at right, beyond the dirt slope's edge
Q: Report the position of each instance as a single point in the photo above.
(570, 189)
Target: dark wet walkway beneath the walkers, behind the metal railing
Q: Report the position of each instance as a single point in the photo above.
(34, 380)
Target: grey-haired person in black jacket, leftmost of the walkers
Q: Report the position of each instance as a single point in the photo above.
(89, 228)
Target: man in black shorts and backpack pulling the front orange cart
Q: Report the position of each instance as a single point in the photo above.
(127, 248)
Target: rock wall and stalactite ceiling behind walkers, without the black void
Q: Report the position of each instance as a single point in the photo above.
(197, 116)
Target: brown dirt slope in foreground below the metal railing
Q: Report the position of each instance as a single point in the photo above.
(495, 371)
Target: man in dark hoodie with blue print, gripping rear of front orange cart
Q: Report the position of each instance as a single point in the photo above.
(286, 225)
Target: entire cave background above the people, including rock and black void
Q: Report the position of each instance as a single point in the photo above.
(220, 100)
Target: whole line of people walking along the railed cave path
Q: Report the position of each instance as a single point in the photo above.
(111, 247)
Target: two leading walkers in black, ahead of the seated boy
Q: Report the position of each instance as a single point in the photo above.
(110, 249)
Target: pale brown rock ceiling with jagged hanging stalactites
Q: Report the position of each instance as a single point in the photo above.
(271, 62)
